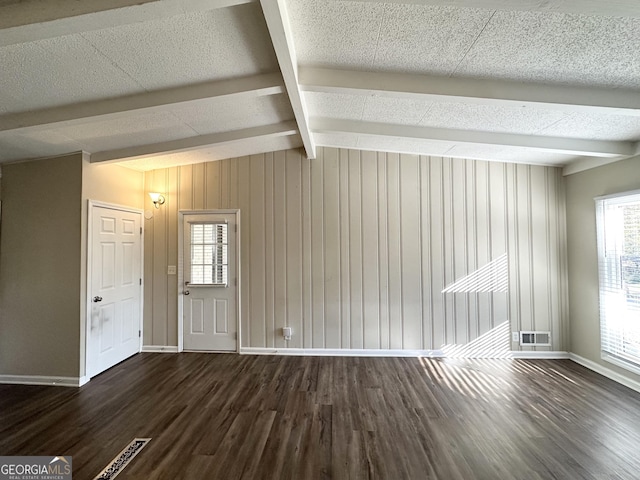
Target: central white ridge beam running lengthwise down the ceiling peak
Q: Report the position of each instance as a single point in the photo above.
(275, 14)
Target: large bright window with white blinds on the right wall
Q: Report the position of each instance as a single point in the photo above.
(618, 221)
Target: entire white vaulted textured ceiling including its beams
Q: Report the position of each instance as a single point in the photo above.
(167, 82)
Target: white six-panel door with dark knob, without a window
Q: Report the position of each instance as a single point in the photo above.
(115, 287)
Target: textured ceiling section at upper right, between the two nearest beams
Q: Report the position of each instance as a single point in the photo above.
(525, 46)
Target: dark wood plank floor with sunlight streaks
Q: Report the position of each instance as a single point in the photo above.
(263, 417)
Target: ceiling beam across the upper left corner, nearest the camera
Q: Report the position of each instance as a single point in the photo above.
(31, 20)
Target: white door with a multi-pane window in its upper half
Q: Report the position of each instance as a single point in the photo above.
(210, 282)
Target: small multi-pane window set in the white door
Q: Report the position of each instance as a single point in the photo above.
(209, 263)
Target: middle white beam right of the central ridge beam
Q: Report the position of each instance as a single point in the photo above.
(456, 90)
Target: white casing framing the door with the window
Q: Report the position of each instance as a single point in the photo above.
(182, 218)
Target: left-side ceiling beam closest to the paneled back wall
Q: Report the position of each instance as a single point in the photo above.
(193, 143)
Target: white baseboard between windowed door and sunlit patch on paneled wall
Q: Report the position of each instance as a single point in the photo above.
(339, 352)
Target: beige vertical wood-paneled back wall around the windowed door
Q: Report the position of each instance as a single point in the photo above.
(354, 248)
